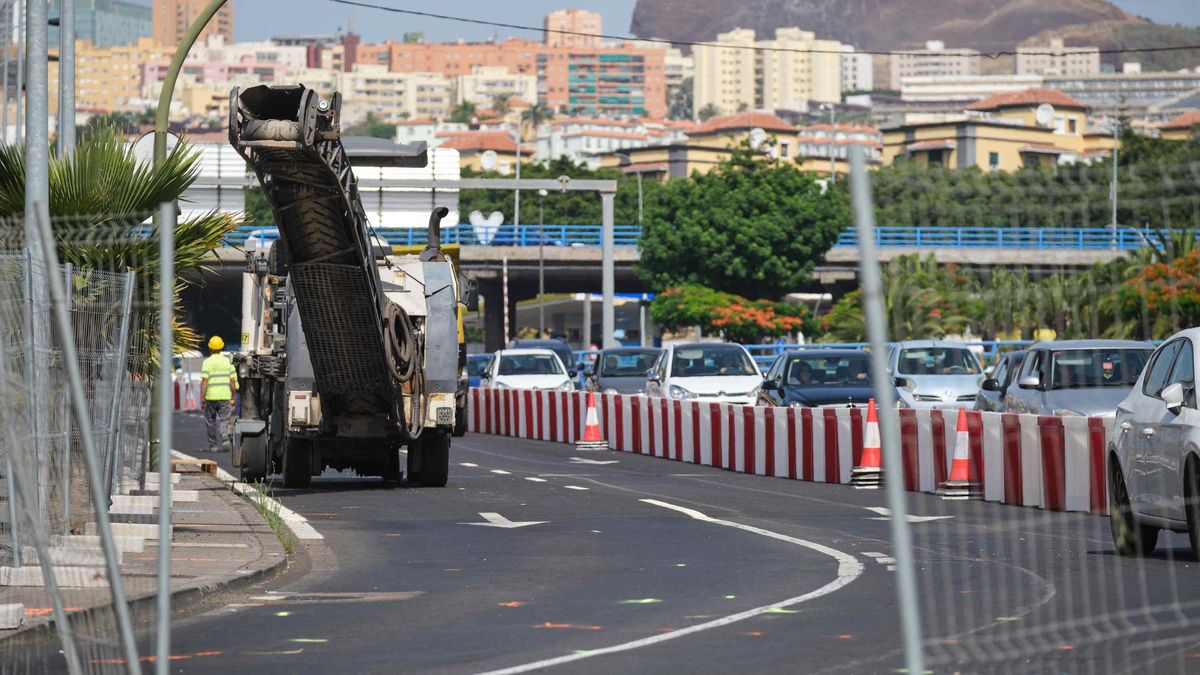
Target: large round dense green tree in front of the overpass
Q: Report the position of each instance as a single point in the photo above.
(749, 228)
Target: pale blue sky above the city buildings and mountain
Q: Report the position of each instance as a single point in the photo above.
(260, 20)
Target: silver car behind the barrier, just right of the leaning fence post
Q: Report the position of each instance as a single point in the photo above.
(935, 374)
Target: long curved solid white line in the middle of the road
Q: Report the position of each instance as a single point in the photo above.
(849, 569)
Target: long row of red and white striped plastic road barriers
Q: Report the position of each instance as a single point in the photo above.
(1053, 463)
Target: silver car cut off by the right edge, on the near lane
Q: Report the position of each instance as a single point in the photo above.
(1155, 452)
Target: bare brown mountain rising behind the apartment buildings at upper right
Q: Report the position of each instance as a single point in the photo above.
(987, 26)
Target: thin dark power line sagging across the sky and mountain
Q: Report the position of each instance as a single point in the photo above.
(724, 46)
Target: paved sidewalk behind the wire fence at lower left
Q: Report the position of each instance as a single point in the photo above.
(220, 541)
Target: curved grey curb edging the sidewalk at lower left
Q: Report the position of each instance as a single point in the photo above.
(182, 599)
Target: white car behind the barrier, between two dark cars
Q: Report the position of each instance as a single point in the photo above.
(706, 372)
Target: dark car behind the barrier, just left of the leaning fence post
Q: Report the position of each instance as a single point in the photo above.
(819, 379)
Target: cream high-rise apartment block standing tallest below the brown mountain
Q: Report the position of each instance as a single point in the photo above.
(740, 71)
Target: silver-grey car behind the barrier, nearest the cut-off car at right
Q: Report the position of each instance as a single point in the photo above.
(1088, 378)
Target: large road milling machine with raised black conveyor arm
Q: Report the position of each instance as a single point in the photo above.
(351, 354)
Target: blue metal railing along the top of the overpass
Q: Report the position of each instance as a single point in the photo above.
(589, 236)
